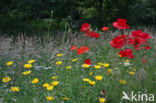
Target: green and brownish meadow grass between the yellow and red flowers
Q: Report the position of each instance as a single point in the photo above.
(71, 84)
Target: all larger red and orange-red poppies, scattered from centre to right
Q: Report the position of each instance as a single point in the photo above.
(138, 39)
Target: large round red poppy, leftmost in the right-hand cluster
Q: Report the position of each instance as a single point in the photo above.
(118, 41)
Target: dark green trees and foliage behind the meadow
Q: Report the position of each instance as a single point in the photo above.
(39, 15)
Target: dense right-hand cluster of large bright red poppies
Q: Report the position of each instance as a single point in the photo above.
(138, 39)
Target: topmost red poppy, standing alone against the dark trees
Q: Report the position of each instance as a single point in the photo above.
(121, 24)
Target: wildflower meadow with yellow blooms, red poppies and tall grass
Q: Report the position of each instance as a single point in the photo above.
(90, 66)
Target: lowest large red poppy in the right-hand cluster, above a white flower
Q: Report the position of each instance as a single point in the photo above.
(126, 53)
